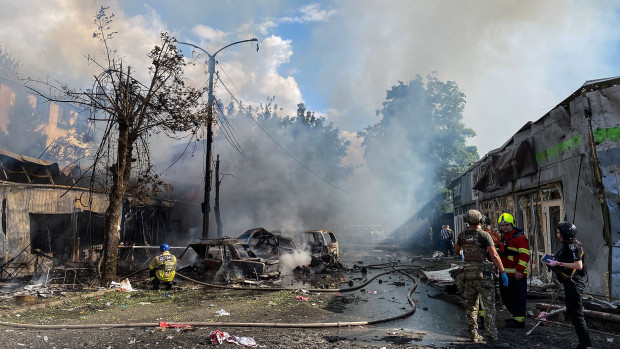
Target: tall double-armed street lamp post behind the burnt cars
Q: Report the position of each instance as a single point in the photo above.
(206, 205)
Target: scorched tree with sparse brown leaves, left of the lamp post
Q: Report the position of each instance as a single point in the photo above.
(132, 111)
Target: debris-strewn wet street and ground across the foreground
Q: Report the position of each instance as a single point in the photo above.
(132, 319)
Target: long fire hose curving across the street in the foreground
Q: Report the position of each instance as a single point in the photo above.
(250, 324)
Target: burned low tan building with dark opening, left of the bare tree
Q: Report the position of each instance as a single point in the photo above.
(47, 214)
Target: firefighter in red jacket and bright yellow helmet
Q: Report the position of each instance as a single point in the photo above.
(514, 250)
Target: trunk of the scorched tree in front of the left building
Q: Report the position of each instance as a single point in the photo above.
(120, 179)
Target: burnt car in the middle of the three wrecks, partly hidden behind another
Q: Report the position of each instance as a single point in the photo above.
(268, 245)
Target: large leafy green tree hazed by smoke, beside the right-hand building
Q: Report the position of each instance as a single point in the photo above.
(421, 135)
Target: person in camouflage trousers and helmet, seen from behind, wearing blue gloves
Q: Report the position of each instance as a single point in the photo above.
(477, 247)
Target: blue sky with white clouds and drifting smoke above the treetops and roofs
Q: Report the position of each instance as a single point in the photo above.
(514, 60)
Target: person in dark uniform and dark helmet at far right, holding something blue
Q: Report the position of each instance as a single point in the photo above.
(568, 265)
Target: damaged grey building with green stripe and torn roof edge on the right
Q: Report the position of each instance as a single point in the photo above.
(564, 166)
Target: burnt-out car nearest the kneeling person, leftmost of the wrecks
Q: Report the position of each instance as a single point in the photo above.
(227, 259)
